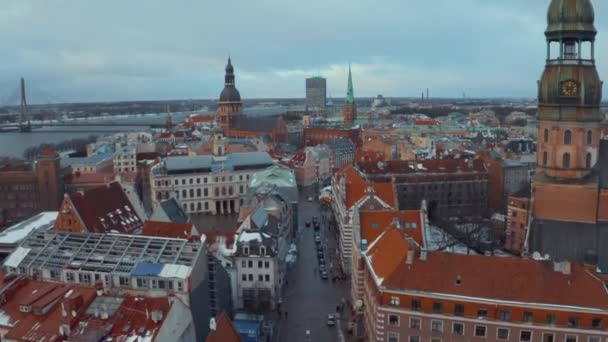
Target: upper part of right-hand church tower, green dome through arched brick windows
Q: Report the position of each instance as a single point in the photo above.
(569, 94)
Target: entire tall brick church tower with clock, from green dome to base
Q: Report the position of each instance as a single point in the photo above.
(570, 189)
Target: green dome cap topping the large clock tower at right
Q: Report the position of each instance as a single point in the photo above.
(570, 18)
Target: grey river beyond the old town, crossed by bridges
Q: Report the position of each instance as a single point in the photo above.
(13, 144)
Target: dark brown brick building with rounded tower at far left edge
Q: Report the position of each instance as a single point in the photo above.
(26, 189)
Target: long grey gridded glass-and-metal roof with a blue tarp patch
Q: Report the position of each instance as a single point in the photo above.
(108, 253)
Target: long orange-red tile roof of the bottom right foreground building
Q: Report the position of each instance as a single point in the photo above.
(487, 277)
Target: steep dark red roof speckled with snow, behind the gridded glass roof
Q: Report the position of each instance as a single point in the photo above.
(106, 208)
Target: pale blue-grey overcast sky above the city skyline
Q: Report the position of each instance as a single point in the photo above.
(94, 50)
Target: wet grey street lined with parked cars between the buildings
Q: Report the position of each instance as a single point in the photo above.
(307, 298)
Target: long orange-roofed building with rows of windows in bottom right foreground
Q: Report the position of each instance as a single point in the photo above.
(414, 295)
